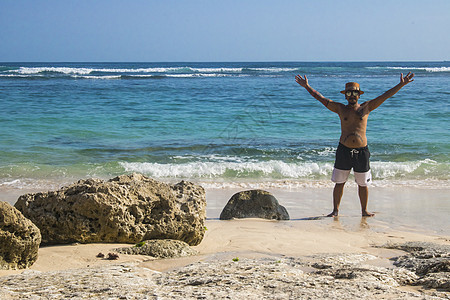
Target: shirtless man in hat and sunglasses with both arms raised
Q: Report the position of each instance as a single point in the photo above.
(352, 152)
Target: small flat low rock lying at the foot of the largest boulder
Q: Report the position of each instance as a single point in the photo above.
(159, 249)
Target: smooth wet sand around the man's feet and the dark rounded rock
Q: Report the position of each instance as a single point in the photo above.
(412, 209)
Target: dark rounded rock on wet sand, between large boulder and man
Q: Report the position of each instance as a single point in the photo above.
(254, 204)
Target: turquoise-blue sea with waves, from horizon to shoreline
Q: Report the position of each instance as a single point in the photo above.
(214, 122)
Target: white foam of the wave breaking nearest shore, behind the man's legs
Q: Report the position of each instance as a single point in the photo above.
(277, 169)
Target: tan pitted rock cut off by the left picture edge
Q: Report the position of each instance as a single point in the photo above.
(19, 239)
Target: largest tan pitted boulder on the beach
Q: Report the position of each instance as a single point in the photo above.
(125, 209)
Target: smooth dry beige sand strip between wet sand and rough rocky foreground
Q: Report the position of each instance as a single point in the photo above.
(249, 238)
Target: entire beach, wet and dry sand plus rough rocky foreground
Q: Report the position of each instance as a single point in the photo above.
(308, 237)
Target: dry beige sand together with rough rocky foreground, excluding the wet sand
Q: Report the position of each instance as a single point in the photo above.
(250, 244)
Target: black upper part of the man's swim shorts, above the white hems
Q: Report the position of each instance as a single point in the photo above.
(356, 158)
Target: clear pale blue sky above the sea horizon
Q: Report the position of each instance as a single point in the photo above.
(221, 30)
